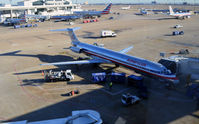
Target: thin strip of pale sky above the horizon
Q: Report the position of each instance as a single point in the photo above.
(118, 1)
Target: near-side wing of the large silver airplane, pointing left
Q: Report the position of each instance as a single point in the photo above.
(78, 62)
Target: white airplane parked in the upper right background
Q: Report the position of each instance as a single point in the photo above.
(178, 15)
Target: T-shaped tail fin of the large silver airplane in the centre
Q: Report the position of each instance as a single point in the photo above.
(71, 33)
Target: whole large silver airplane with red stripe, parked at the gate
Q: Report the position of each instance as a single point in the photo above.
(103, 55)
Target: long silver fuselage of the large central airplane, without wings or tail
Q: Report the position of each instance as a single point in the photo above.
(138, 64)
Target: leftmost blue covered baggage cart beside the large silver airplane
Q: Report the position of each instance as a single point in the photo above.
(99, 77)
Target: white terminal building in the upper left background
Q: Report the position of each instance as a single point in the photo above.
(38, 7)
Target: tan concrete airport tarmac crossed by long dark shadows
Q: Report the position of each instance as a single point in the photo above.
(25, 96)
